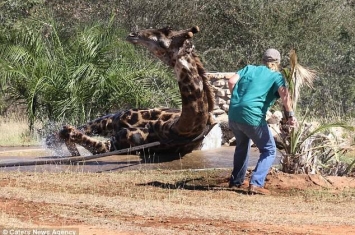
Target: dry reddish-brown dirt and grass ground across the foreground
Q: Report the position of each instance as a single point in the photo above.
(175, 202)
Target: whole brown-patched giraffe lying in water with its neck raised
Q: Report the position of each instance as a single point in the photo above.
(178, 130)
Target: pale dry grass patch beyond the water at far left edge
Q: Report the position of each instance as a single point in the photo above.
(14, 131)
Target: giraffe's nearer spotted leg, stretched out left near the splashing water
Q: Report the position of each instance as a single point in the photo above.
(72, 136)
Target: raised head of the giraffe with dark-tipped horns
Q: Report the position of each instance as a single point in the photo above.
(163, 43)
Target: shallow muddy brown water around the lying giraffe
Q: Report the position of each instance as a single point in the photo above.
(221, 157)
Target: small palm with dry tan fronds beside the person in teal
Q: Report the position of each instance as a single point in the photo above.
(306, 149)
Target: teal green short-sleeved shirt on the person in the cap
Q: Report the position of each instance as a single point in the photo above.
(253, 94)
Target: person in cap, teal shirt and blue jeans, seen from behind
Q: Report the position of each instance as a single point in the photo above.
(254, 89)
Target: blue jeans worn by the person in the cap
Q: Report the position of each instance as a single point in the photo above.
(263, 139)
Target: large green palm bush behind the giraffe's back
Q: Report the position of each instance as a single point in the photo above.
(75, 78)
